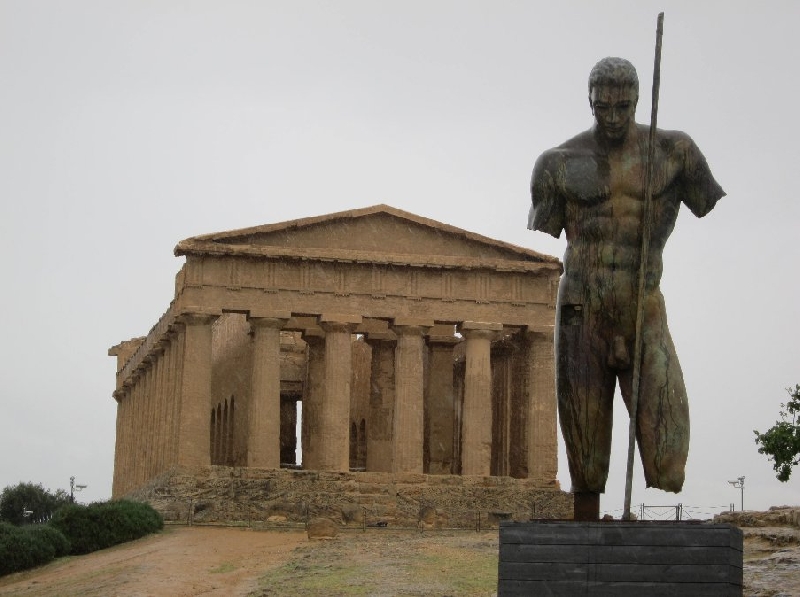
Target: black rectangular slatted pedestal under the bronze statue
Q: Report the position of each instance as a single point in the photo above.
(619, 559)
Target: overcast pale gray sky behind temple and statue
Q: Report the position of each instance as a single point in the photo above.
(128, 126)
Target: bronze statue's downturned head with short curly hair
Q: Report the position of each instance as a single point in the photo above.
(613, 95)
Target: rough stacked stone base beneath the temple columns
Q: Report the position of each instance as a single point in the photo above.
(219, 494)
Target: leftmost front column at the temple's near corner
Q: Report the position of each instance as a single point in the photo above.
(194, 430)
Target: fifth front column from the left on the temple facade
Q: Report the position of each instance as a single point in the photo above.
(476, 451)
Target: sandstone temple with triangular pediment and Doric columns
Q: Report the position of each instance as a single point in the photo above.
(406, 347)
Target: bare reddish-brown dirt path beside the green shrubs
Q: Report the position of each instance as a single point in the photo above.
(180, 562)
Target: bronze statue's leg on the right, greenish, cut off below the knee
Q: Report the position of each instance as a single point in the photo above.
(663, 410)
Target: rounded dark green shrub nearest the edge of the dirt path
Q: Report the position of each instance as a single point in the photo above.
(101, 525)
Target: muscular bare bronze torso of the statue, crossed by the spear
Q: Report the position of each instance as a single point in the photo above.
(604, 207)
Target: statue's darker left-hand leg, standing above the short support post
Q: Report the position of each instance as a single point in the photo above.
(585, 388)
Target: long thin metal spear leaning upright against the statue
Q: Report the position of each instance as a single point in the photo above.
(640, 300)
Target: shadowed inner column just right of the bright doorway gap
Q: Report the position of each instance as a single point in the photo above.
(313, 395)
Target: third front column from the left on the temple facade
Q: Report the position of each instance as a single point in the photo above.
(334, 432)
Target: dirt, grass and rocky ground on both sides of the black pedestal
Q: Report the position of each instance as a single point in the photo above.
(184, 561)
